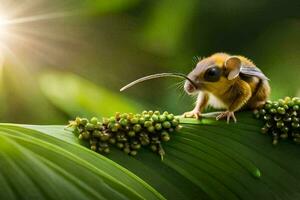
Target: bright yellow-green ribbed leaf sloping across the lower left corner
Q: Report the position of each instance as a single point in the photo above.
(34, 165)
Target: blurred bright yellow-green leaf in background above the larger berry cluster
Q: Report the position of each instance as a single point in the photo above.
(77, 96)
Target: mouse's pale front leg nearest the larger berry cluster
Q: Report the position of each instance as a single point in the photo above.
(201, 103)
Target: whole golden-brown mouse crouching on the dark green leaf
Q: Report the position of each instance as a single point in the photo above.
(228, 82)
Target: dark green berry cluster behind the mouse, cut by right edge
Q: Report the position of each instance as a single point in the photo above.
(282, 119)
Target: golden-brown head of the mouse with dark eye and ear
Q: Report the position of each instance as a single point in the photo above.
(213, 73)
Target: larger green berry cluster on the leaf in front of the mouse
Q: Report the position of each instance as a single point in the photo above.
(128, 132)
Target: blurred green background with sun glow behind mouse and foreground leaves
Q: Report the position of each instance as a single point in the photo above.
(74, 60)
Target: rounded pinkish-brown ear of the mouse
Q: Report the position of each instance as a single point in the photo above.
(233, 67)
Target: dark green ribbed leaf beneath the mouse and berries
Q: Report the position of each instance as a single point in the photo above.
(213, 160)
